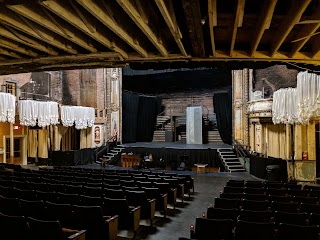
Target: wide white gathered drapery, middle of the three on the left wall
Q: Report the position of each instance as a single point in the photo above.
(41, 113)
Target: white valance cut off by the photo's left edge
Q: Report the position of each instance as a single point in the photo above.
(7, 107)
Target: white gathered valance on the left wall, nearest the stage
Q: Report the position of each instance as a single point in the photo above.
(81, 117)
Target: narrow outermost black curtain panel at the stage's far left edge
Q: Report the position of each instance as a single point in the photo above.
(130, 105)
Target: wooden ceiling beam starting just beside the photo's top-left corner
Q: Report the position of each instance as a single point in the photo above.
(63, 30)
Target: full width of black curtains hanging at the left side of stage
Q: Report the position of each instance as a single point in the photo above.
(139, 117)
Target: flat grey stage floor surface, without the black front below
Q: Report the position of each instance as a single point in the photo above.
(176, 145)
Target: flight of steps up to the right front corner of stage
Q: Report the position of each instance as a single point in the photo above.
(230, 160)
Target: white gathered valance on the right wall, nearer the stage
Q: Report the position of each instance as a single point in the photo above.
(284, 106)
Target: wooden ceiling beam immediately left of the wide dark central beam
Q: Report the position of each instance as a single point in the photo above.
(172, 24)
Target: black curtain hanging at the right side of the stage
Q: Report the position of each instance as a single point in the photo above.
(222, 104)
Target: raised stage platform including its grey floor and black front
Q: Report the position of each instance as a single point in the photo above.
(172, 153)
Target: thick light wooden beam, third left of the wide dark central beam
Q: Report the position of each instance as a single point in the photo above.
(96, 10)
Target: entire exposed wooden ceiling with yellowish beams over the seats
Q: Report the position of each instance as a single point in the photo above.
(38, 35)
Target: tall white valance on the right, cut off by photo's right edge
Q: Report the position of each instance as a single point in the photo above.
(308, 96)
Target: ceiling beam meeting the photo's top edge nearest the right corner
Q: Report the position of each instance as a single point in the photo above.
(292, 17)
